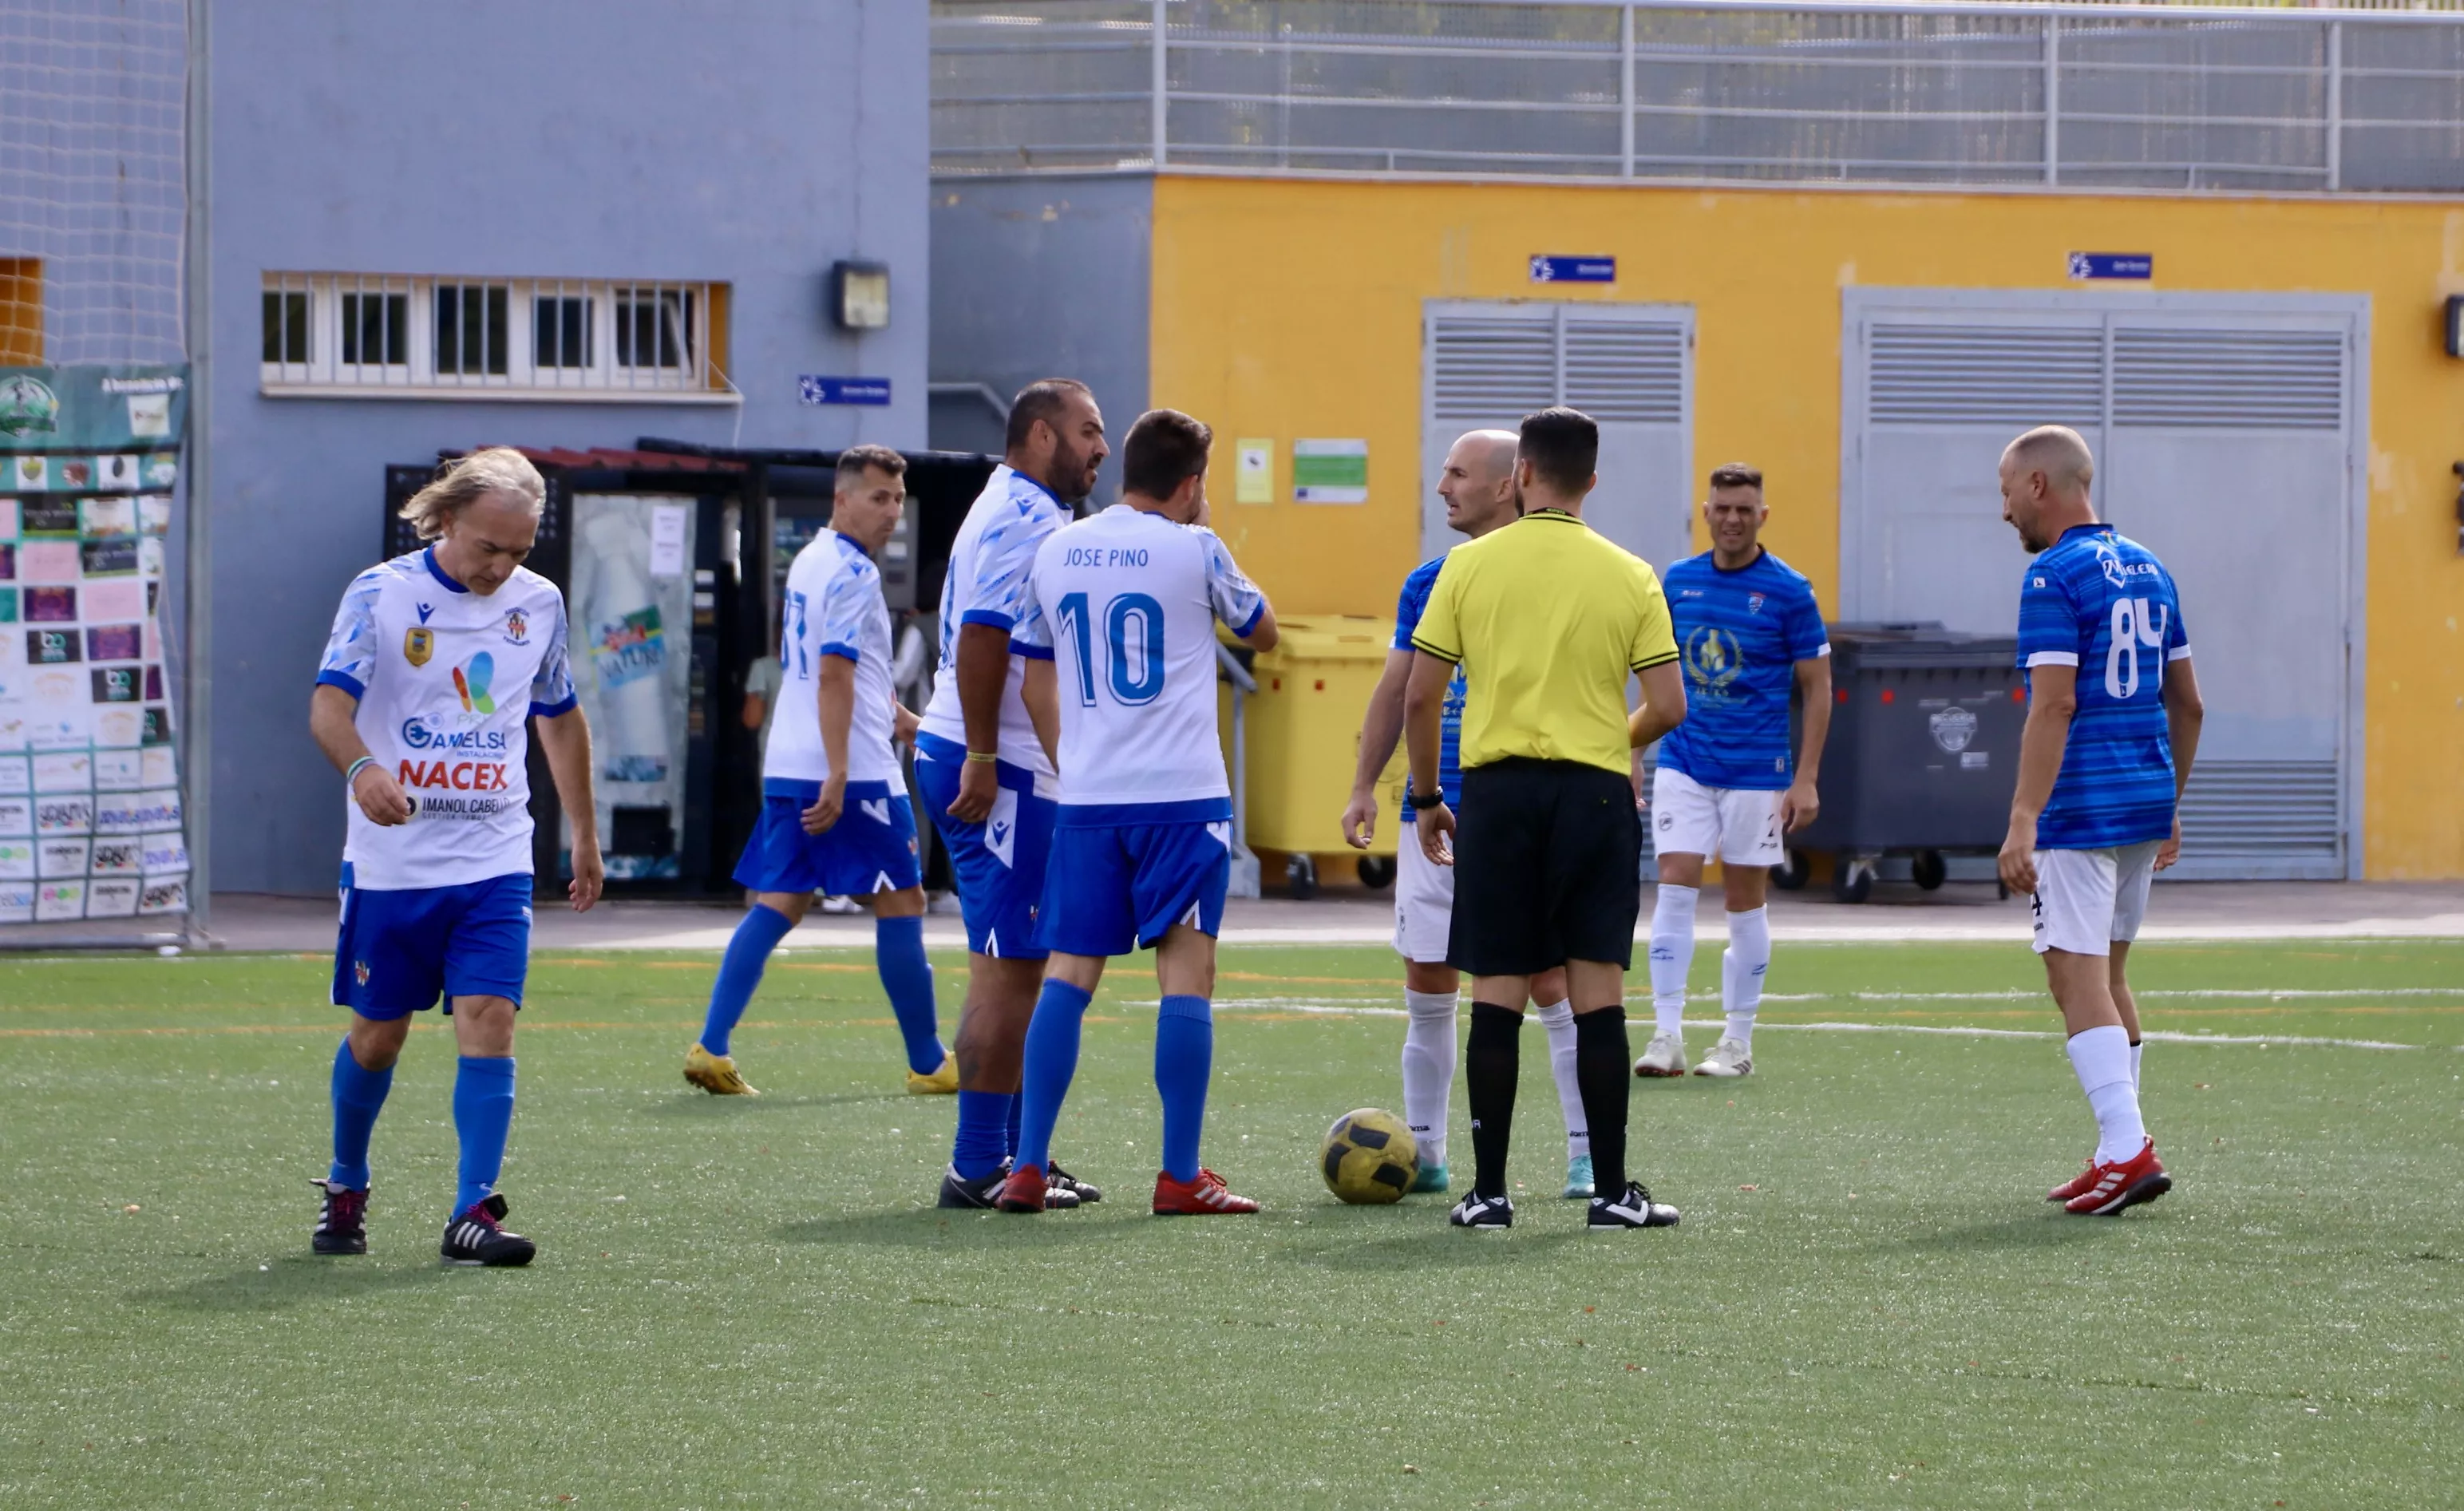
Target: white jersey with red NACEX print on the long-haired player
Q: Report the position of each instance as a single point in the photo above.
(447, 682)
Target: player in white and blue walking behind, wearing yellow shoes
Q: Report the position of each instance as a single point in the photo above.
(834, 802)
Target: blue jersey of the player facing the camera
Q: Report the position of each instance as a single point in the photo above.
(1741, 637)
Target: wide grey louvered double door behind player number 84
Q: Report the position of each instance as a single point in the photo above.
(2224, 433)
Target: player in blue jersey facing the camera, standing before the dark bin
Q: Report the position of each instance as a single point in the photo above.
(1748, 627)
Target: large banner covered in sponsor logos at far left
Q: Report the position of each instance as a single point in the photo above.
(92, 815)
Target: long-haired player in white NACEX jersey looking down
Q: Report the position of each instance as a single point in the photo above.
(435, 669)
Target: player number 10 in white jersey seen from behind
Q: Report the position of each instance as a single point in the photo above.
(1142, 849)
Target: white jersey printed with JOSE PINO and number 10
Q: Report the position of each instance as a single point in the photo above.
(1127, 605)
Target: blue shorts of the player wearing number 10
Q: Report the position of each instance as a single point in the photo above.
(1117, 889)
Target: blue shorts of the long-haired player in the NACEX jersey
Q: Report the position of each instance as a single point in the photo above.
(398, 953)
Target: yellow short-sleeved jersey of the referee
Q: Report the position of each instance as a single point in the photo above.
(1546, 617)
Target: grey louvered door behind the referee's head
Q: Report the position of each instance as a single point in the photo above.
(1630, 369)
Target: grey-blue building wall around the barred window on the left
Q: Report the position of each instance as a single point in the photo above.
(745, 142)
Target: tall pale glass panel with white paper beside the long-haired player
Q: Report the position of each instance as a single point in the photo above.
(632, 645)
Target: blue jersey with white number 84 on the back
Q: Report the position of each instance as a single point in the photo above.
(2101, 603)
